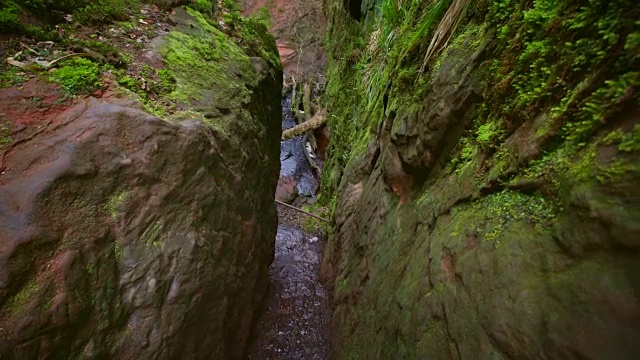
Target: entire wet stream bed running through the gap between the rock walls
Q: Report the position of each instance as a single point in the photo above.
(295, 323)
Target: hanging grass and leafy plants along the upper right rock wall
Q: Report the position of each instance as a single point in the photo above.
(567, 63)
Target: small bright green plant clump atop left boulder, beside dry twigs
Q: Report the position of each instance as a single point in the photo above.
(77, 76)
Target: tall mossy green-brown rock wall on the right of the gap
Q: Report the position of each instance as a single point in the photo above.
(491, 215)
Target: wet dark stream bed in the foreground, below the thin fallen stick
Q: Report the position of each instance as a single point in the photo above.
(295, 324)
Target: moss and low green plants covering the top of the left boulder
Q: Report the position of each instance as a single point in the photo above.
(216, 57)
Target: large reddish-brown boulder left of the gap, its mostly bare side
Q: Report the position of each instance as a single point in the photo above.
(127, 236)
